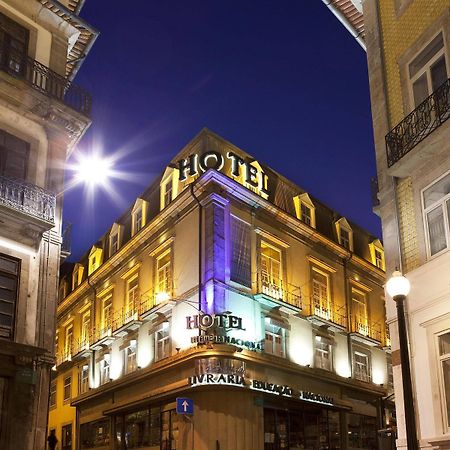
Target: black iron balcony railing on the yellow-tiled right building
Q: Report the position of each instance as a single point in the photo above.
(417, 125)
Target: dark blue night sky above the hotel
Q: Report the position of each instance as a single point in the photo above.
(282, 80)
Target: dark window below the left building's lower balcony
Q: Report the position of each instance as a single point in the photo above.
(9, 282)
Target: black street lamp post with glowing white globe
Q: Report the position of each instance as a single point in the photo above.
(398, 288)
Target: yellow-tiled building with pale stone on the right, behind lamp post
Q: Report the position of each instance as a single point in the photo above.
(408, 51)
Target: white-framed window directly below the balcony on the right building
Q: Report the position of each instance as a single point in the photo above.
(436, 203)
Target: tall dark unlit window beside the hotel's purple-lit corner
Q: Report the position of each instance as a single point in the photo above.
(240, 270)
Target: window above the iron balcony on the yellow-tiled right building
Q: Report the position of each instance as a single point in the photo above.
(428, 70)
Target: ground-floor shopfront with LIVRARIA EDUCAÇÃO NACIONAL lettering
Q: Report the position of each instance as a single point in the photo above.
(252, 408)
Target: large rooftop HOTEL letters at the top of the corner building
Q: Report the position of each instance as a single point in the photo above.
(251, 175)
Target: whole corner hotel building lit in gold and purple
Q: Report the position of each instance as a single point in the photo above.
(226, 284)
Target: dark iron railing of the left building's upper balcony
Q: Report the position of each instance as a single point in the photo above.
(48, 82)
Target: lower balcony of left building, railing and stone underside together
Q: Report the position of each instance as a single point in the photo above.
(26, 210)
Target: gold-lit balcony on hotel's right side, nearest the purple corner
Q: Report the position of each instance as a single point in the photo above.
(278, 294)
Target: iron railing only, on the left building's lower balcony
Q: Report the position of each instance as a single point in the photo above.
(28, 198)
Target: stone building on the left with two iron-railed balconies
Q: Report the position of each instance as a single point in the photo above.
(42, 115)
